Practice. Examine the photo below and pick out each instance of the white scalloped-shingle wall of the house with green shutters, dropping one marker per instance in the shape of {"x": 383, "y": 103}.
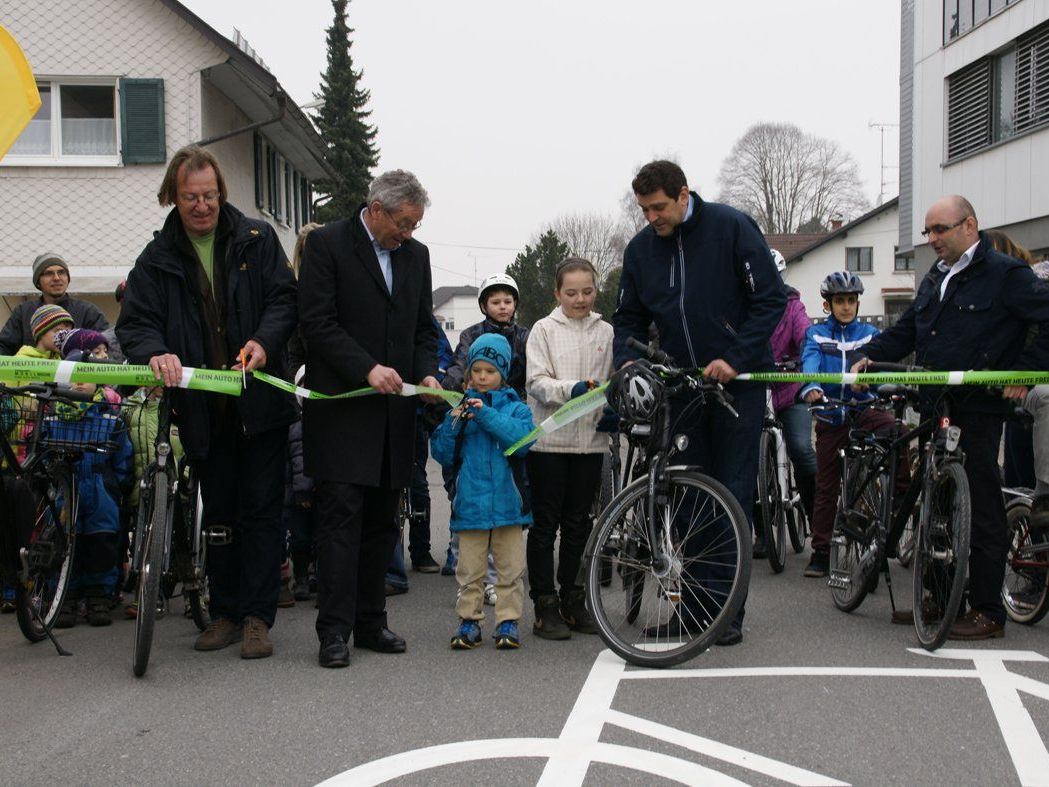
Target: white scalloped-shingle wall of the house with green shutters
{"x": 101, "y": 218}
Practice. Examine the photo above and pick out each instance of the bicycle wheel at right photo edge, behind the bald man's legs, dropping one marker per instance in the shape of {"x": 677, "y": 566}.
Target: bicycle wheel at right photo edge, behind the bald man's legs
{"x": 1025, "y": 590}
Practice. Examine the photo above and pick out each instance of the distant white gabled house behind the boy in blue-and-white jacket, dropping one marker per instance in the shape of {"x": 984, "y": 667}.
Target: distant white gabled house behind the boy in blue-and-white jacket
{"x": 867, "y": 247}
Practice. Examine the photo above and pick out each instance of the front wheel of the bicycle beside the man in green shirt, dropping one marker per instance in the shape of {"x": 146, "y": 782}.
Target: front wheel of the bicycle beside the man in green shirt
{"x": 152, "y": 569}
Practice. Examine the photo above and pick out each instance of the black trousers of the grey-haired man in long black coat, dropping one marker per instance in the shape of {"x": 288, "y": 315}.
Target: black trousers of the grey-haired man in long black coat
{"x": 356, "y": 529}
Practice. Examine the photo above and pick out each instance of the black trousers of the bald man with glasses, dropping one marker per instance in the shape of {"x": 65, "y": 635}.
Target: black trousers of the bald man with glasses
{"x": 990, "y": 538}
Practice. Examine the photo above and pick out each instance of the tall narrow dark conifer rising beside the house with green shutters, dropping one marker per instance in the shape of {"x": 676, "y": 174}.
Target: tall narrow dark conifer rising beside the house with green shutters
{"x": 342, "y": 121}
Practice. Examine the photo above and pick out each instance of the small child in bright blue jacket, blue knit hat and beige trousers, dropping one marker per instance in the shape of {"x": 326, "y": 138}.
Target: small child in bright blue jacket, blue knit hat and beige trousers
{"x": 489, "y": 508}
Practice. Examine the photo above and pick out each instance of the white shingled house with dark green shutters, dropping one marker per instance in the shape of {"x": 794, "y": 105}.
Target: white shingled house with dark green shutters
{"x": 124, "y": 84}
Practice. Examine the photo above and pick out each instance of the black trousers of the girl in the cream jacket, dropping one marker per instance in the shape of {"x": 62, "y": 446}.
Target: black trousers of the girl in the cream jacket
{"x": 564, "y": 486}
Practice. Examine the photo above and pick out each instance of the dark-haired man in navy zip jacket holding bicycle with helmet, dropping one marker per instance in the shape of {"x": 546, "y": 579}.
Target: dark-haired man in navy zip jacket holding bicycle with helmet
{"x": 703, "y": 274}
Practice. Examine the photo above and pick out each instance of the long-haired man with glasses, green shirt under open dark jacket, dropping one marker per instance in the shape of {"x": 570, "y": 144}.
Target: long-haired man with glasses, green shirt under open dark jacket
{"x": 215, "y": 290}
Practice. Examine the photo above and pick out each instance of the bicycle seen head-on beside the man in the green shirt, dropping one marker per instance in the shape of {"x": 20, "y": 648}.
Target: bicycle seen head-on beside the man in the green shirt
{"x": 170, "y": 542}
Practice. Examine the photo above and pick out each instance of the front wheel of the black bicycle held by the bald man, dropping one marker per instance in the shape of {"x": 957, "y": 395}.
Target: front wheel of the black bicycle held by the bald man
{"x": 941, "y": 556}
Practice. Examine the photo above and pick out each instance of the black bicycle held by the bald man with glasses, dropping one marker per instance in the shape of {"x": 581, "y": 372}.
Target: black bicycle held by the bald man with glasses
{"x": 870, "y": 520}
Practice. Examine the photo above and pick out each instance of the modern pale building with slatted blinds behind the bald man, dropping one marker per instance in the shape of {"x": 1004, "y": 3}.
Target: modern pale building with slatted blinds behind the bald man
{"x": 975, "y": 117}
